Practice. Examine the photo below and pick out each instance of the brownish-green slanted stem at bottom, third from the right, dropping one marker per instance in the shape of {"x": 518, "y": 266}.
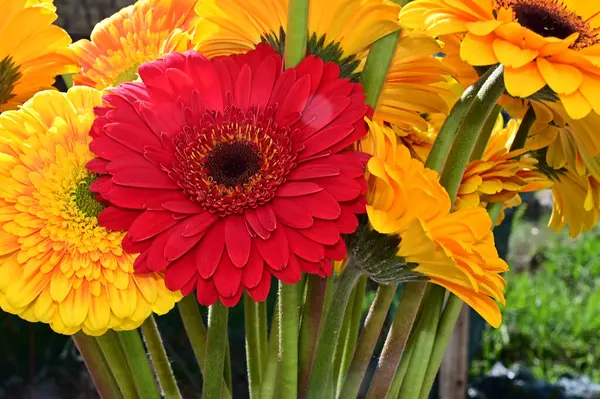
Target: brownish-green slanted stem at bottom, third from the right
{"x": 397, "y": 338}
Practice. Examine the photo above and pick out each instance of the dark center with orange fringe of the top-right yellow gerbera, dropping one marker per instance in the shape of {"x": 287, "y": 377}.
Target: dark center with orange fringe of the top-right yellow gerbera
{"x": 551, "y": 18}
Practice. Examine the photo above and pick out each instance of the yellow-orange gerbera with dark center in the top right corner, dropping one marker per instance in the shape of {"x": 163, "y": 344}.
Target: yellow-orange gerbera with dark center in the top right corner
{"x": 539, "y": 42}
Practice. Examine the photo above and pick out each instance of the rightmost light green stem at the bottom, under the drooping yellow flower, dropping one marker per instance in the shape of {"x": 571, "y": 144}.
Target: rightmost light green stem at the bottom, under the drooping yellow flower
{"x": 442, "y": 337}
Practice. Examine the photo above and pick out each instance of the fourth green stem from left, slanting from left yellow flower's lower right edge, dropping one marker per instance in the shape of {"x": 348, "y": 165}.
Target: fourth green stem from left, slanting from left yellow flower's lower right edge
{"x": 159, "y": 358}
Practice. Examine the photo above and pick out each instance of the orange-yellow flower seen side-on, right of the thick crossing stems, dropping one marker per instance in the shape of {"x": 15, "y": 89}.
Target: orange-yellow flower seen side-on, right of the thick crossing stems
{"x": 500, "y": 174}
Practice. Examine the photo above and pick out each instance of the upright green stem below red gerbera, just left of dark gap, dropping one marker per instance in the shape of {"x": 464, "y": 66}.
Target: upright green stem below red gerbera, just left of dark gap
{"x": 215, "y": 351}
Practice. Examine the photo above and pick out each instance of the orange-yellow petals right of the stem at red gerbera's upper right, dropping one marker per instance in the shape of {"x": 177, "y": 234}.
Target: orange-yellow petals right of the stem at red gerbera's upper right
{"x": 416, "y": 84}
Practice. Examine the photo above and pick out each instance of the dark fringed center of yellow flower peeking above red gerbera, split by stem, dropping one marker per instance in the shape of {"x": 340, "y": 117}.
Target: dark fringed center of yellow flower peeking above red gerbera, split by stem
{"x": 327, "y": 51}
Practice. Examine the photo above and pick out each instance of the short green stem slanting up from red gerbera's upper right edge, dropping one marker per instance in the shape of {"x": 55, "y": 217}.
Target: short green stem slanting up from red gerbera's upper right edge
{"x": 377, "y": 66}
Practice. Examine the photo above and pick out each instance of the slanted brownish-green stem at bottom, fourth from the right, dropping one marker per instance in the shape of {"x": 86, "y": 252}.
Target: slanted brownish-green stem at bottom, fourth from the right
{"x": 368, "y": 340}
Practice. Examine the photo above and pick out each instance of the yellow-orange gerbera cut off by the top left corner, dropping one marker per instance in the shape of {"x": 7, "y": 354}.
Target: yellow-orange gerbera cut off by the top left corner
{"x": 32, "y": 51}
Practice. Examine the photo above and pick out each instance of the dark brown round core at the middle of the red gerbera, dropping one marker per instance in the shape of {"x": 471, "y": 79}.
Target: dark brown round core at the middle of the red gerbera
{"x": 233, "y": 164}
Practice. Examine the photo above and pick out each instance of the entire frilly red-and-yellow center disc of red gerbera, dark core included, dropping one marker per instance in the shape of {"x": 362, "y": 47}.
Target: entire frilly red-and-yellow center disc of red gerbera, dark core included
{"x": 233, "y": 160}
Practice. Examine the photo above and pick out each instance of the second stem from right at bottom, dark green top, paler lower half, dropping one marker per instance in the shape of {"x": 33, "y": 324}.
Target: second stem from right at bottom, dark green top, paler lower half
{"x": 424, "y": 339}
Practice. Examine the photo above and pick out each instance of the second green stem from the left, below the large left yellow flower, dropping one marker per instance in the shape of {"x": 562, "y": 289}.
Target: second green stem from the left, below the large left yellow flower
{"x": 111, "y": 349}
